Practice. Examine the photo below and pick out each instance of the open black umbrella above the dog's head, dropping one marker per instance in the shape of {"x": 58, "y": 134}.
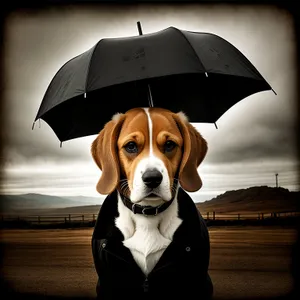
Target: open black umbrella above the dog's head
{"x": 198, "y": 73}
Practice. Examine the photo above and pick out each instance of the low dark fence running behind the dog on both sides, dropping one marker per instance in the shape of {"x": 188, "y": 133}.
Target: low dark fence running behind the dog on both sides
{"x": 91, "y": 218}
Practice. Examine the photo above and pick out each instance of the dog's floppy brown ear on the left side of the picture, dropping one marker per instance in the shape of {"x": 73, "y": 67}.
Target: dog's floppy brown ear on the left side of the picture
{"x": 104, "y": 152}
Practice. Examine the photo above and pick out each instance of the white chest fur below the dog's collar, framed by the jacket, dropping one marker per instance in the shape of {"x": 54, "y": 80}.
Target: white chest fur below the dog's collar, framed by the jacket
{"x": 147, "y": 237}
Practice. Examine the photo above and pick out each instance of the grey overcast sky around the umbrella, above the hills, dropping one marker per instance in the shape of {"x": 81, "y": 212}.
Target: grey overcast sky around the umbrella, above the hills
{"x": 255, "y": 139}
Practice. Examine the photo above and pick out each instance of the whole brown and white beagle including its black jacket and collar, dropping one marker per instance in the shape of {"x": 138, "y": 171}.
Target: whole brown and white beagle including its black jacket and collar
{"x": 149, "y": 237}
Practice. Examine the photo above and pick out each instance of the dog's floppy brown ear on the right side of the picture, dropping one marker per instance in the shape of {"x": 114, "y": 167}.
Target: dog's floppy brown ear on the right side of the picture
{"x": 194, "y": 151}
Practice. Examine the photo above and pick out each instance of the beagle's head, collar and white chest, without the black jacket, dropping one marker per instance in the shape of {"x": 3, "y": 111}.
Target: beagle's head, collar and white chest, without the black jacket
{"x": 146, "y": 155}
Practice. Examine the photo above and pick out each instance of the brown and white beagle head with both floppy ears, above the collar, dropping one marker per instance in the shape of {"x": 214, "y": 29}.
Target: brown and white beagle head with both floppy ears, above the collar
{"x": 146, "y": 152}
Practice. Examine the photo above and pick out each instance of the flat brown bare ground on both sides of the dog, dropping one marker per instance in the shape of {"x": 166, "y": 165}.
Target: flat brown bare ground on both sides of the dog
{"x": 245, "y": 262}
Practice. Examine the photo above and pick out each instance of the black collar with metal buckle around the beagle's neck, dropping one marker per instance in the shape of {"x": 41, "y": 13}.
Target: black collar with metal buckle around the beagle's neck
{"x": 146, "y": 210}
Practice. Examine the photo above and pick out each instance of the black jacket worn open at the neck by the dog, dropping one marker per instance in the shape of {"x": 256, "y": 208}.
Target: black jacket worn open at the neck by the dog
{"x": 181, "y": 271}
